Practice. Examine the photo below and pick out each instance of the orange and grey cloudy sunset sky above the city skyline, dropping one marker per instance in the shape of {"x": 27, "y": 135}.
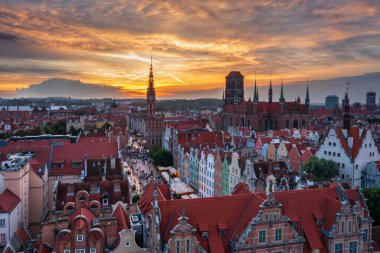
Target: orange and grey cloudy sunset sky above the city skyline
{"x": 194, "y": 44}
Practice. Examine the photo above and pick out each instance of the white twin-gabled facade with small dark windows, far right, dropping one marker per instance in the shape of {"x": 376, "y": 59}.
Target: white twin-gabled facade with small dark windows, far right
{"x": 350, "y": 168}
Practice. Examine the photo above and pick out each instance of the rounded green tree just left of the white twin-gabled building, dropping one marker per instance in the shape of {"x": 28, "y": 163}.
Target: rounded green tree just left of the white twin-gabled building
{"x": 321, "y": 168}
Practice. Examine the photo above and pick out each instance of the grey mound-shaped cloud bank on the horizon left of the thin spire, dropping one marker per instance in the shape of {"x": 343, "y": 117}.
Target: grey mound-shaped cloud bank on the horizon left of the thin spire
{"x": 68, "y": 88}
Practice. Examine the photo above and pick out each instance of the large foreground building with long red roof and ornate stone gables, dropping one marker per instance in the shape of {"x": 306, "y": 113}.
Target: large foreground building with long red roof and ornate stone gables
{"x": 299, "y": 221}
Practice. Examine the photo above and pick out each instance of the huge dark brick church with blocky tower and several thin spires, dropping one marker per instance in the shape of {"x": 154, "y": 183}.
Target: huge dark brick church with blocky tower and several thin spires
{"x": 261, "y": 115}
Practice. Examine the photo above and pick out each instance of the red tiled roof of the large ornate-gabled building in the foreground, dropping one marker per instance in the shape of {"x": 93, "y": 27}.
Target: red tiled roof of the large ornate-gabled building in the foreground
{"x": 235, "y": 213}
